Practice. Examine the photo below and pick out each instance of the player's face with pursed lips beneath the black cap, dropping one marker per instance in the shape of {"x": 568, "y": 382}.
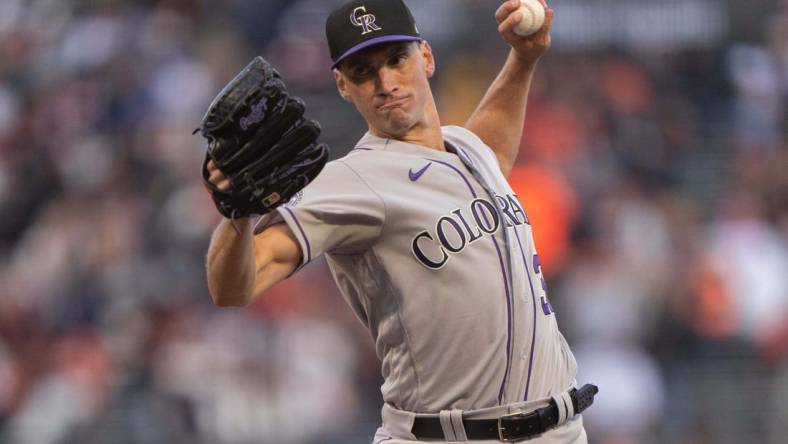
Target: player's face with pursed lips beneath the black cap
{"x": 389, "y": 85}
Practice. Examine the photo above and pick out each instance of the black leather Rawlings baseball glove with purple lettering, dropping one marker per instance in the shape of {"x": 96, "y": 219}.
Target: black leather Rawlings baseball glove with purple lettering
{"x": 258, "y": 138}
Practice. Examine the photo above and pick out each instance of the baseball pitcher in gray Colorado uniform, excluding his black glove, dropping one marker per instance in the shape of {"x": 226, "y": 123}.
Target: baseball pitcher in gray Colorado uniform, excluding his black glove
{"x": 427, "y": 242}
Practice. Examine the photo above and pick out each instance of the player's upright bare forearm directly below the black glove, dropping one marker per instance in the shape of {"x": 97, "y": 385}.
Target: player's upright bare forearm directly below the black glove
{"x": 231, "y": 263}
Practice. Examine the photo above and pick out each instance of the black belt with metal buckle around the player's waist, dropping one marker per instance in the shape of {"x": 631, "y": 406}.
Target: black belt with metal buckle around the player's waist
{"x": 509, "y": 428}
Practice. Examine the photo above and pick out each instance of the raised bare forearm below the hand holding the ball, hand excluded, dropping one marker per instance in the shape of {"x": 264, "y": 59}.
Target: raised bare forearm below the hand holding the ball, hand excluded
{"x": 498, "y": 120}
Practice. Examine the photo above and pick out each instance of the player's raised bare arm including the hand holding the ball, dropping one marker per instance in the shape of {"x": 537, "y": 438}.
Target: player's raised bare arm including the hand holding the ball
{"x": 498, "y": 120}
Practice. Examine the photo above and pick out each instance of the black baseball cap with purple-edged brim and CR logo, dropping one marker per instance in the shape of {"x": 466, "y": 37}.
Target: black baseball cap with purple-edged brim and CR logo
{"x": 359, "y": 24}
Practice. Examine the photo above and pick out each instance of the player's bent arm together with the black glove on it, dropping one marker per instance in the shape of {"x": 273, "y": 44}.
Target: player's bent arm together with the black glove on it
{"x": 261, "y": 151}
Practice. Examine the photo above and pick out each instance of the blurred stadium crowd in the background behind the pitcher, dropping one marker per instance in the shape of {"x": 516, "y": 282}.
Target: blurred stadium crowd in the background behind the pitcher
{"x": 654, "y": 168}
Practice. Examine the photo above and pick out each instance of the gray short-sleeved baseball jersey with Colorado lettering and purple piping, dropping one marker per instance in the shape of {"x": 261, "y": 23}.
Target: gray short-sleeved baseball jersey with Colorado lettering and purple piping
{"x": 433, "y": 252}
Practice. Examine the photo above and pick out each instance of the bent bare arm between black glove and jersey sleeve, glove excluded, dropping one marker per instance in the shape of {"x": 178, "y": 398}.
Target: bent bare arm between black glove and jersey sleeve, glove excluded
{"x": 241, "y": 267}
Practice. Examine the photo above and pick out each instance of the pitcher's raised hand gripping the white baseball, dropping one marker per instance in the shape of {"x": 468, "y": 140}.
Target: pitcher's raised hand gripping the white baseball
{"x": 510, "y": 15}
